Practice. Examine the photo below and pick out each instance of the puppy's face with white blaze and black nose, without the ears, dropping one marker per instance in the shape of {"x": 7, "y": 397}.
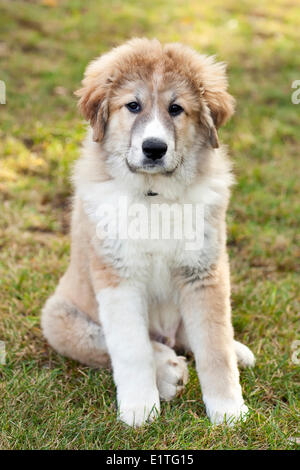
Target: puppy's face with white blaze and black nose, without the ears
{"x": 152, "y": 123}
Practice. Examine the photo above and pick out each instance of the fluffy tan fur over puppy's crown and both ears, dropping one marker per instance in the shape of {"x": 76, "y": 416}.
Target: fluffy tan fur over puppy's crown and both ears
{"x": 139, "y": 59}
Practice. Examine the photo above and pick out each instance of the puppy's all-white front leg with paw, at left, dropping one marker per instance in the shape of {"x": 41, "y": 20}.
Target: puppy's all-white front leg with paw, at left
{"x": 123, "y": 314}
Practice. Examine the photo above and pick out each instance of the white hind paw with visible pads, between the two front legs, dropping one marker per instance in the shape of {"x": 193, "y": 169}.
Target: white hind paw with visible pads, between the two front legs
{"x": 171, "y": 372}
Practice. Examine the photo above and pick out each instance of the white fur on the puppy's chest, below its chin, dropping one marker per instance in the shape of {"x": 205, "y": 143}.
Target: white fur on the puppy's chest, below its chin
{"x": 146, "y": 261}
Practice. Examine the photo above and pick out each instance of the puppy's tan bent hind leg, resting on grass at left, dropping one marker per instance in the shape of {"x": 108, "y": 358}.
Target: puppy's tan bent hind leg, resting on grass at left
{"x": 72, "y": 333}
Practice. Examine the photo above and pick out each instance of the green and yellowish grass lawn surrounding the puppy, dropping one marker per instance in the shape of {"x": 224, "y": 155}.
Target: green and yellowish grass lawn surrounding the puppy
{"x": 50, "y": 402}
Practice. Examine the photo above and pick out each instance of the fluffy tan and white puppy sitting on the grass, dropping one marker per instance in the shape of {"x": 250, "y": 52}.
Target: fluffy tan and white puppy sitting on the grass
{"x": 132, "y": 301}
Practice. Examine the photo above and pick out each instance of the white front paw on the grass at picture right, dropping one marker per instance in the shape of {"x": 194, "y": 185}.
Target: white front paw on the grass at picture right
{"x": 226, "y": 411}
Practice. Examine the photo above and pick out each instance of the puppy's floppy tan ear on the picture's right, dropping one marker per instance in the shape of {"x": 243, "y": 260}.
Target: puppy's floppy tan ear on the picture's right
{"x": 217, "y": 103}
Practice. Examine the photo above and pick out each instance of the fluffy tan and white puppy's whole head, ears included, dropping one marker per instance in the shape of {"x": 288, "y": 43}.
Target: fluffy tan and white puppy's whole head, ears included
{"x": 154, "y": 108}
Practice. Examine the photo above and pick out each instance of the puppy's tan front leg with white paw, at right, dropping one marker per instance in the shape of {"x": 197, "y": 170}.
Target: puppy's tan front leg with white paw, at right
{"x": 205, "y": 304}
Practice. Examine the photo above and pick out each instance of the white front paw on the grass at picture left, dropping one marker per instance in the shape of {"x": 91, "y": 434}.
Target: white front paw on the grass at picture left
{"x": 140, "y": 411}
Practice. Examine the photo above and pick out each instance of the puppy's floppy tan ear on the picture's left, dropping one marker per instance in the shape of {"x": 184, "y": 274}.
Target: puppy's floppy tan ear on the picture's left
{"x": 93, "y": 97}
